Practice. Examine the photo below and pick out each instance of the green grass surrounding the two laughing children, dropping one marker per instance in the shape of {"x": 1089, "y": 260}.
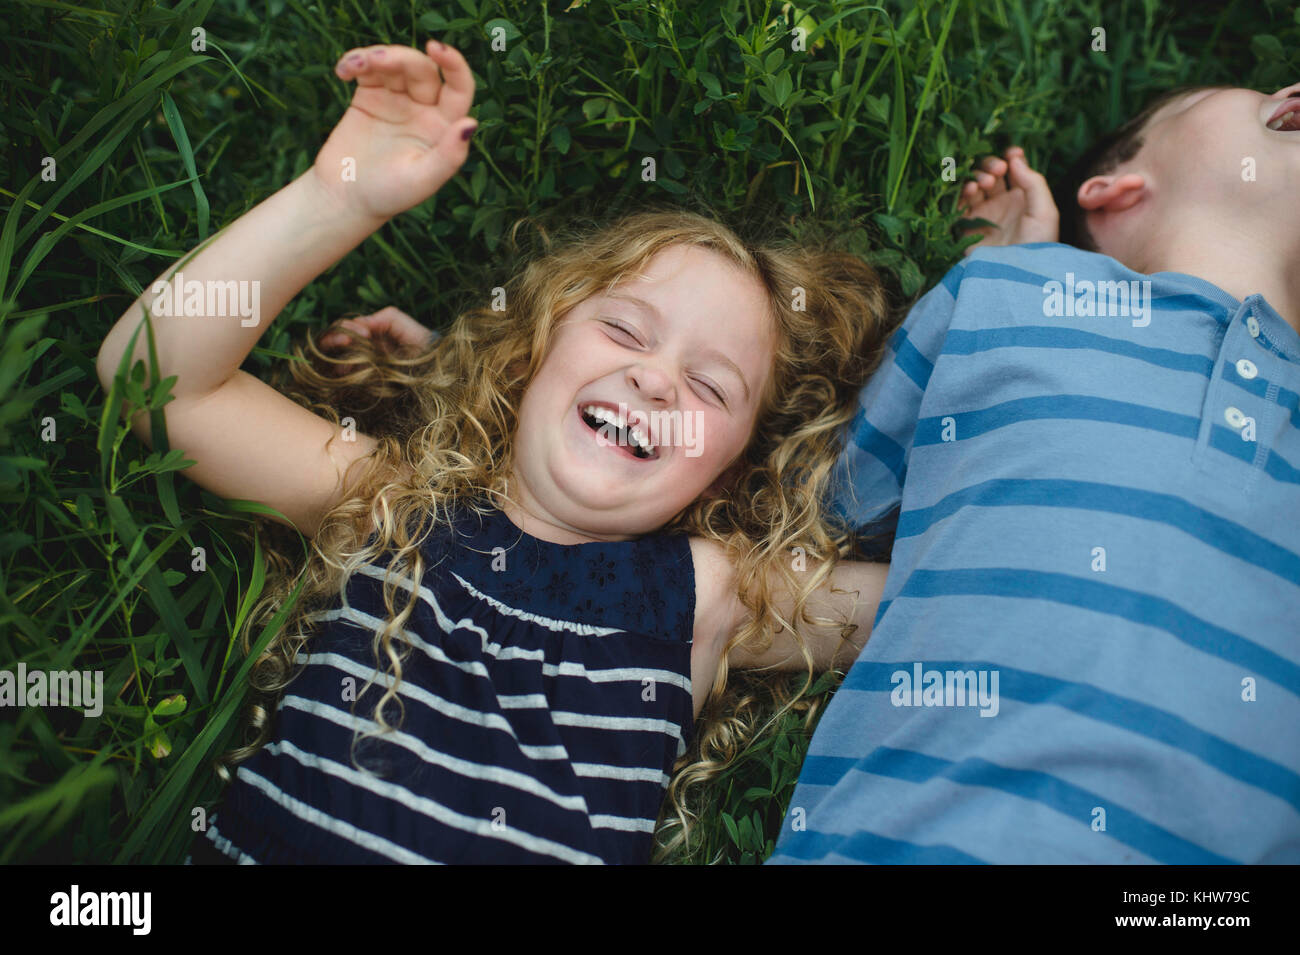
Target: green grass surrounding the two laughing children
{"x": 157, "y": 145}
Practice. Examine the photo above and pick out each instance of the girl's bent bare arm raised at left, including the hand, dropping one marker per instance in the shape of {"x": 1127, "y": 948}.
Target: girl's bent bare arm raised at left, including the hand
{"x": 405, "y": 134}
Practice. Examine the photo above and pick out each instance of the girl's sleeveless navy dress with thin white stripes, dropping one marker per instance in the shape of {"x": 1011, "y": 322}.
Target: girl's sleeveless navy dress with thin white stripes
{"x": 547, "y": 700}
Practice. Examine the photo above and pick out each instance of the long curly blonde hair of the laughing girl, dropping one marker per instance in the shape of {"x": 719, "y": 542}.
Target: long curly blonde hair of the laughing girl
{"x": 445, "y": 420}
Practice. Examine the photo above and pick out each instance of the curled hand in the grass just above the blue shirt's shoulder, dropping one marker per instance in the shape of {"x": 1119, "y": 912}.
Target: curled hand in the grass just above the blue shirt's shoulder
{"x": 1022, "y": 212}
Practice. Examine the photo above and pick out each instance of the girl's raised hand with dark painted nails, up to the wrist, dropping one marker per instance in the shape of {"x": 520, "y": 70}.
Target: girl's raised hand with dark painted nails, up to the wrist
{"x": 406, "y": 132}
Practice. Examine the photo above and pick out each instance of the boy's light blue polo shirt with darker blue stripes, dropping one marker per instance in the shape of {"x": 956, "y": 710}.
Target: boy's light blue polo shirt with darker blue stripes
{"x": 1089, "y": 645}
